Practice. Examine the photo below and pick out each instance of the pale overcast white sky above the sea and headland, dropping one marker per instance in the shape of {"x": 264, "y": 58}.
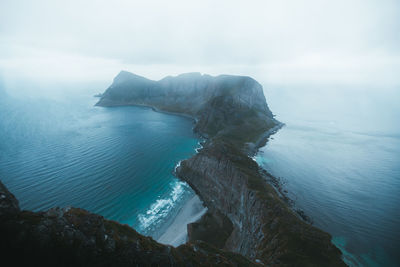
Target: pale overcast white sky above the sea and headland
{"x": 284, "y": 42}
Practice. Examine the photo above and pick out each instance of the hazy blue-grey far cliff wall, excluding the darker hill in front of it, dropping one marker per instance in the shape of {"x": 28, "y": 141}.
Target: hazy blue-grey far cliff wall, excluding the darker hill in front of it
{"x": 186, "y": 93}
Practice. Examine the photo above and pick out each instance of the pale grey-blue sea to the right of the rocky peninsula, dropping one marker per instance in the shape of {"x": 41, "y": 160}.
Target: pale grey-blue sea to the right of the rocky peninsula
{"x": 340, "y": 163}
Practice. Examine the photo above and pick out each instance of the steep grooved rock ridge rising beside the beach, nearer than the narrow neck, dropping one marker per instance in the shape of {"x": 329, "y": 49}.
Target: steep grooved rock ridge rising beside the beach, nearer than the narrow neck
{"x": 264, "y": 228}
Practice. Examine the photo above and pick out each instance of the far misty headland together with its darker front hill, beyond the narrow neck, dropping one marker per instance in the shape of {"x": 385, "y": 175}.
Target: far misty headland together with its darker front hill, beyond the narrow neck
{"x": 223, "y": 105}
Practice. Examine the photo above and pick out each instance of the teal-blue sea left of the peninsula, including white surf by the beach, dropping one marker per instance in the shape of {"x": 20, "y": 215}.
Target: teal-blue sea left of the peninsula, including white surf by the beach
{"x": 117, "y": 162}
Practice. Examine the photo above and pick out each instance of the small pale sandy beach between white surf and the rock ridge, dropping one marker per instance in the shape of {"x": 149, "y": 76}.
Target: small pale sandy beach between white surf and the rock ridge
{"x": 176, "y": 233}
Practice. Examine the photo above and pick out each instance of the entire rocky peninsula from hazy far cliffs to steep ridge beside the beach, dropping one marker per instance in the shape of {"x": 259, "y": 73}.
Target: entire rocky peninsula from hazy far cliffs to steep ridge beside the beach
{"x": 245, "y": 214}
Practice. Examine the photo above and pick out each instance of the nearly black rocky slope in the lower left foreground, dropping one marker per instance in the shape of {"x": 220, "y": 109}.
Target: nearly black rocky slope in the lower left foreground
{"x": 75, "y": 237}
